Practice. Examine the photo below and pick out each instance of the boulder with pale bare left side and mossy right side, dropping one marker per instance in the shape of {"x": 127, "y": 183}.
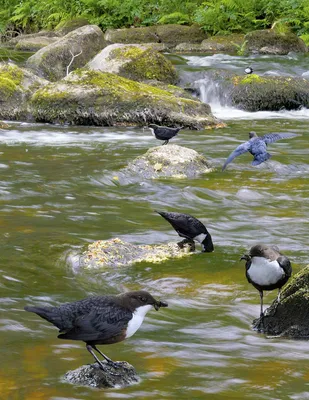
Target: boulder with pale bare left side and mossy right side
{"x": 137, "y": 62}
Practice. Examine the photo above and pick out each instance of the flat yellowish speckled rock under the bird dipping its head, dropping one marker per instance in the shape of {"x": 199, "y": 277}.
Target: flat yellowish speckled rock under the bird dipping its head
{"x": 116, "y": 253}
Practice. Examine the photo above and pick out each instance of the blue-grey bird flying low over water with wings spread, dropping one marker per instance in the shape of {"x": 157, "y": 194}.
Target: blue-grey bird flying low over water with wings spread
{"x": 257, "y": 146}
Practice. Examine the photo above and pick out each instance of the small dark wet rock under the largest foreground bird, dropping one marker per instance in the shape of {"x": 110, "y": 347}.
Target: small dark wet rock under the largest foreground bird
{"x": 92, "y": 375}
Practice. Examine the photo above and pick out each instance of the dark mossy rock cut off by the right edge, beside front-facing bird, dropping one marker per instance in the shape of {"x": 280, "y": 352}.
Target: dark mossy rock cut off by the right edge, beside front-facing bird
{"x": 291, "y": 316}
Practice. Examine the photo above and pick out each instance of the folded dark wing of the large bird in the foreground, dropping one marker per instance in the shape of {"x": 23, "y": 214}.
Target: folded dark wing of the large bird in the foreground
{"x": 102, "y": 323}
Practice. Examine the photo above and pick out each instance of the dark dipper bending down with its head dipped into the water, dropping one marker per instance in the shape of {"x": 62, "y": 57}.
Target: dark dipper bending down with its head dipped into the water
{"x": 190, "y": 228}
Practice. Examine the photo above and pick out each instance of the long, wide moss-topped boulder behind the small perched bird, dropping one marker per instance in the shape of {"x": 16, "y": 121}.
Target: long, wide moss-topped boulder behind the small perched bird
{"x": 99, "y": 98}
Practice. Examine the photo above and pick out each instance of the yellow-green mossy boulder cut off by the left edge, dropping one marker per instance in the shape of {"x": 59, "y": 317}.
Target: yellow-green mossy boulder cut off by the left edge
{"x": 16, "y": 87}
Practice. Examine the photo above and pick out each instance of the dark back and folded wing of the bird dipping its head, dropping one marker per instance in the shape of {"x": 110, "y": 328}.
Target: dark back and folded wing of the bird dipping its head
{"x": 185, "y": 225}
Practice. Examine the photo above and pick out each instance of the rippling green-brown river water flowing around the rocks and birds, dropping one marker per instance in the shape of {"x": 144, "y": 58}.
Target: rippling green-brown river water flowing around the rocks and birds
{"x": 57, "y": 194}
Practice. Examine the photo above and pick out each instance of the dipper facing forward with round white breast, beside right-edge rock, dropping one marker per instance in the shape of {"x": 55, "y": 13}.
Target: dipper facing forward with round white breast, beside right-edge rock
{"x": 267, "y": 269}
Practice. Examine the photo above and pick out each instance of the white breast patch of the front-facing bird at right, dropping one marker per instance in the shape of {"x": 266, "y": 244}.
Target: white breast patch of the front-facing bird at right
{"x": 264, "y": 272}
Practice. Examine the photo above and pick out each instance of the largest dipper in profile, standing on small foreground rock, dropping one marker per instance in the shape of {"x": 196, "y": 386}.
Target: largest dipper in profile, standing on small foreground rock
{"x": 100, "y": 319}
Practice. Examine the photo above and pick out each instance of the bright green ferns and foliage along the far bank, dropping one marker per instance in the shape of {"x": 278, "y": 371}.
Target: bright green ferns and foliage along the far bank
{"x": 214, "y": 16}
